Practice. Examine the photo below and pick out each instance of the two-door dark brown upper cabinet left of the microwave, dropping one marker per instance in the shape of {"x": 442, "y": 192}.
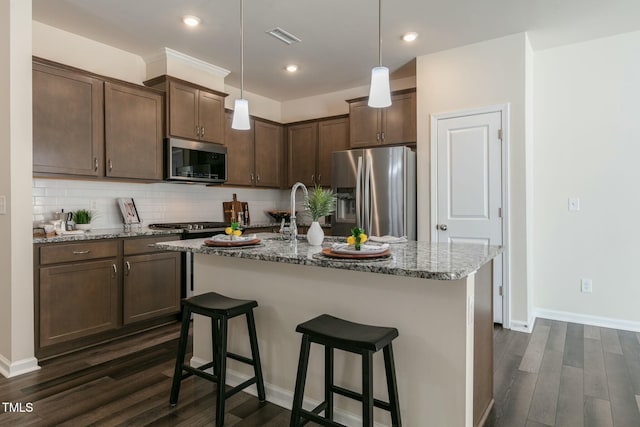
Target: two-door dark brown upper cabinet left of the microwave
{"x": 88, "y": 126}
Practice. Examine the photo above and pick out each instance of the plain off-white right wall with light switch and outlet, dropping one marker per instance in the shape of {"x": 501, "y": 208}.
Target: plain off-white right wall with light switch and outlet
{"x": 588, "y": 145}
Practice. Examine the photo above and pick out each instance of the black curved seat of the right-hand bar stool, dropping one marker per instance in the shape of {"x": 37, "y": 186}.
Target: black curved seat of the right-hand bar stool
{"x": 341, "y": 333}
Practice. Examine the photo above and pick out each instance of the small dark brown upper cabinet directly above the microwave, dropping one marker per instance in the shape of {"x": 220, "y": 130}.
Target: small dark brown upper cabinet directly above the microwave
{"x": 193, "y": 112}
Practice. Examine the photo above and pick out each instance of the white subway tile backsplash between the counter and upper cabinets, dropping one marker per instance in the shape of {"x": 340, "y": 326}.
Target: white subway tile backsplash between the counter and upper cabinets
{"x": 157, "y": 202}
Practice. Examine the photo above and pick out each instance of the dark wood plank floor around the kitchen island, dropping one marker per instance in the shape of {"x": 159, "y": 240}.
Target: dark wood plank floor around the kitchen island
{"x": 562, "y": 374}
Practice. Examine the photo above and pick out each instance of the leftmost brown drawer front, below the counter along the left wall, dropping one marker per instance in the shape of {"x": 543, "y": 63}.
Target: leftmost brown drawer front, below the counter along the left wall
{"x": 78, "y": 251}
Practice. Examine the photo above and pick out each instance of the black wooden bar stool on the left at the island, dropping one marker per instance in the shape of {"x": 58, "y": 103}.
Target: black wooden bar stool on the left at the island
{"x": 219, "y": 309}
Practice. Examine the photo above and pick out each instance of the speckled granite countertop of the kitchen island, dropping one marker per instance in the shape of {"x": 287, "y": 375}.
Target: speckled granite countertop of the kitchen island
{"x": 412, "y": 259}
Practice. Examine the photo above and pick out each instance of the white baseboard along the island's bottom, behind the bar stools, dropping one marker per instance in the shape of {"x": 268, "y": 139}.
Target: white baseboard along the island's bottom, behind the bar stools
{"x": 282, "y": 397}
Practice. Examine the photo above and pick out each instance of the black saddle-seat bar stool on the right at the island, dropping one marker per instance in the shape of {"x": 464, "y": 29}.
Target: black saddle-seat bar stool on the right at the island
{"x": 365, "y": 340}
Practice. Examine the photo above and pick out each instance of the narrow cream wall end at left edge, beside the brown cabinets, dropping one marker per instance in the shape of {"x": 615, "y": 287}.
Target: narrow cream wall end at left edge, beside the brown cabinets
{"x": 16, "y": 259}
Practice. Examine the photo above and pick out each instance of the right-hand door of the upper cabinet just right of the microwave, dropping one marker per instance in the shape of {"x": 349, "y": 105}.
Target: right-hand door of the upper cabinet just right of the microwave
{"x": 268, "y": 154}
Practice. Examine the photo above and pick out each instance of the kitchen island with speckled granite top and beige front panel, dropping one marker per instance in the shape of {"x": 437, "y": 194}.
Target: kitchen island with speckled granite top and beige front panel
{"x": 439, "y": 296}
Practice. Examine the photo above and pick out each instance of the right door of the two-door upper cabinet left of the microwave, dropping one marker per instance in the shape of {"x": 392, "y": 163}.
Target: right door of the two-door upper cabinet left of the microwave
{"x": 133, "y": 132}
